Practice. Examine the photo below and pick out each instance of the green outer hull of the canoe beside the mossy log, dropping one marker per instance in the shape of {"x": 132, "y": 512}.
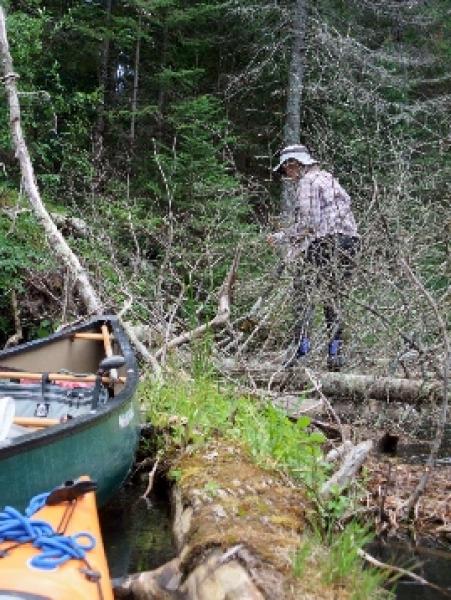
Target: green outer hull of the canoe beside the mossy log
{"x": 101, "y": 445}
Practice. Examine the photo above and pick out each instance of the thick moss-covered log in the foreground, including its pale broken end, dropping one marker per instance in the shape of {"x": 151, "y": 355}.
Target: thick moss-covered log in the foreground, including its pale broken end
{"x": 237, "y": 527}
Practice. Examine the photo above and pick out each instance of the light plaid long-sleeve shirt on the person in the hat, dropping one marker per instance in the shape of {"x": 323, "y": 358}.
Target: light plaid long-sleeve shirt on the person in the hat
{"x": 322, "y": 208}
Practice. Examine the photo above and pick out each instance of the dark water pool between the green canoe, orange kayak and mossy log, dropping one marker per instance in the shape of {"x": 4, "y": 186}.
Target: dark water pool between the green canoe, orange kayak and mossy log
{"x": 137, "y": 534}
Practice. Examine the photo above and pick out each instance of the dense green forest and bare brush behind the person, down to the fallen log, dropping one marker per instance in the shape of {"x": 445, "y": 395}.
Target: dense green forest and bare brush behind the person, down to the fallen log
{"x": 157, "y": 123}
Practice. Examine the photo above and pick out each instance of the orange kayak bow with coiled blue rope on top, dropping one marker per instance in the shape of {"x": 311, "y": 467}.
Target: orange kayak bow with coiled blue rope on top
{"x": 66, "y": 559}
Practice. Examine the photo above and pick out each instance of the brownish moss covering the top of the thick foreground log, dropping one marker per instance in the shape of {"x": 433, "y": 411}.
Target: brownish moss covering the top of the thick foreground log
{"x": 257, "y": 509}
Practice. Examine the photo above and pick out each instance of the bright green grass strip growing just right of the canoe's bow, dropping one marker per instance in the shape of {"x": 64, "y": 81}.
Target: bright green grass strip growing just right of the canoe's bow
{"x": 195, "y": 410}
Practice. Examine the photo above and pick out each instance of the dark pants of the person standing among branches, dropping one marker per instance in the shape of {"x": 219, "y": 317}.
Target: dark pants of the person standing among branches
{"x": 329, "y": 265}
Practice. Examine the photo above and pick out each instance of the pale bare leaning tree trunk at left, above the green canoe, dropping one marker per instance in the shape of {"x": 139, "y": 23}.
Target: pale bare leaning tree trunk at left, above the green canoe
{"x": 54, "y": 237}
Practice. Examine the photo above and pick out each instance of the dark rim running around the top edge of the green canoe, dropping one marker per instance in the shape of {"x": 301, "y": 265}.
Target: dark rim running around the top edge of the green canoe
{"x": 71, "y": 427}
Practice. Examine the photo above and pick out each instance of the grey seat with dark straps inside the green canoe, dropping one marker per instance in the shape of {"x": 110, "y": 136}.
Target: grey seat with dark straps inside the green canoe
{"x": 51, "y": 400}
